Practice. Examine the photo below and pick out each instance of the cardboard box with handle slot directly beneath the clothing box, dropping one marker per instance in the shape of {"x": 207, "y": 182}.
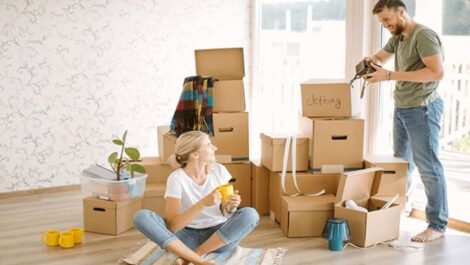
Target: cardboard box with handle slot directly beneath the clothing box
{"x": 334, "y": 142}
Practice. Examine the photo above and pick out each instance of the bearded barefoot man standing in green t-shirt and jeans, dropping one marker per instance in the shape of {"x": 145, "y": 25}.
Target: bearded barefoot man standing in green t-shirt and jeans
{"x": 418, "y": 108}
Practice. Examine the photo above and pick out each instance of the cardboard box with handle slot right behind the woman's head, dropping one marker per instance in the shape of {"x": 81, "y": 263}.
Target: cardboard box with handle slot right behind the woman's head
{"x": 231, "y": 135}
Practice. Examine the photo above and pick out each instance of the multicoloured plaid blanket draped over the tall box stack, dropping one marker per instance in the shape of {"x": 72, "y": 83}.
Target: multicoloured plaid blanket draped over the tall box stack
{"x": 194, "y": 109}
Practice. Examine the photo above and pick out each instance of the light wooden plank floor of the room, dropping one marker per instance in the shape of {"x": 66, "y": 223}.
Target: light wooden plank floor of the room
{"x": 22, "y": 219}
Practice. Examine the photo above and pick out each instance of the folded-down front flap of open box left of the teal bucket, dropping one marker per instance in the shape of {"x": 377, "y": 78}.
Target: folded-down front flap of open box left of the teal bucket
{"x": 310, "y": 203}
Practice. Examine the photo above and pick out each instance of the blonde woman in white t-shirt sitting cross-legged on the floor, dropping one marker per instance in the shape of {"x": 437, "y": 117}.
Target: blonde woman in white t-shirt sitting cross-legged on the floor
{"x": 197, "y": 221}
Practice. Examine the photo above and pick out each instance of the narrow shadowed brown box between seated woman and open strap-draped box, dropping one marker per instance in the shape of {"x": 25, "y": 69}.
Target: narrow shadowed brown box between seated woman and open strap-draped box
{"x": 260, "y": 188}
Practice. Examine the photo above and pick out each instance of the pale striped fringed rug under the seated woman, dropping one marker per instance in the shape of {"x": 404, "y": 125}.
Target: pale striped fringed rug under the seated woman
{"x": 151, "y": 254}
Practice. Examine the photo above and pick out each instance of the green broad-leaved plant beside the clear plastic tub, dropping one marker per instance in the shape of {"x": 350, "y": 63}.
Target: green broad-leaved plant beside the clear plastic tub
{"x": 125, "y": 166}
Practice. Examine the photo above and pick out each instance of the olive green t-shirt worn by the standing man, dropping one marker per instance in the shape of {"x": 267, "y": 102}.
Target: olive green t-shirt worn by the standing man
{"x": 422, "y": 42}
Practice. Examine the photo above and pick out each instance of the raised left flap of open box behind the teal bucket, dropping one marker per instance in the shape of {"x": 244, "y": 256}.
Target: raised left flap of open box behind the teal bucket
{"x": 358, "y": 184}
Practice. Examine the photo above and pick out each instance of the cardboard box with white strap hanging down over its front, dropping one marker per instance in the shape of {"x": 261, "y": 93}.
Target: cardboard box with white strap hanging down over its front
{"x": 272, "y": 152}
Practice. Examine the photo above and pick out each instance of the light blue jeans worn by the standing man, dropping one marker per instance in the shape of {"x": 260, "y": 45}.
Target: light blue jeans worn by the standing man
{"x": 416, "y": 139}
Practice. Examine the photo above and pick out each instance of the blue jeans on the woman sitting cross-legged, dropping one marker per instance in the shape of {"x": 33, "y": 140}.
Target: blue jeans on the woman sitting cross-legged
{"x": 242, "y": 222}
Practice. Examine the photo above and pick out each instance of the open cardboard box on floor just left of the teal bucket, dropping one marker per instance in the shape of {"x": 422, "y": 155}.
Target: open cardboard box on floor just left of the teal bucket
{"x": 305, "y": 216}
